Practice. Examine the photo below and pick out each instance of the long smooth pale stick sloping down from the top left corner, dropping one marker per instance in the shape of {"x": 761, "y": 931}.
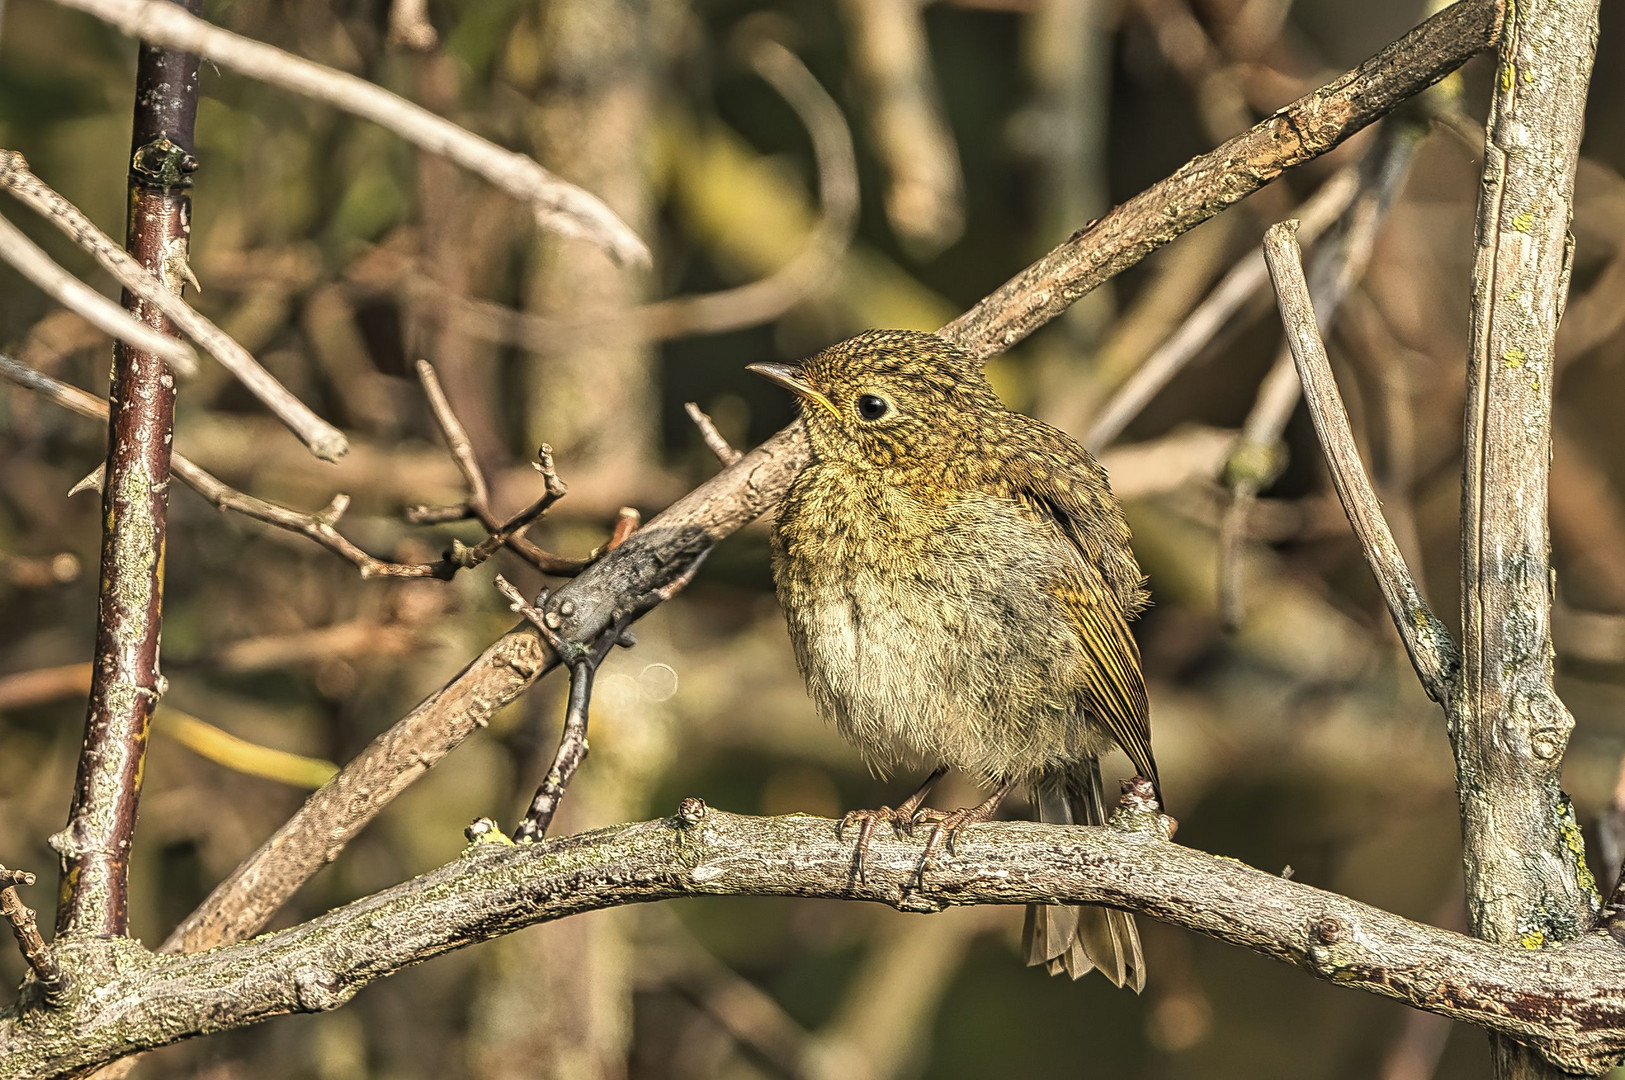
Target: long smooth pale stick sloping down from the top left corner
{"x": 560, "y": 205}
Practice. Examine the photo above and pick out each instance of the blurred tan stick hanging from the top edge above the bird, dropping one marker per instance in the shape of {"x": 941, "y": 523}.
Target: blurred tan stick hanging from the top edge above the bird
{"x": 925, "y": 192}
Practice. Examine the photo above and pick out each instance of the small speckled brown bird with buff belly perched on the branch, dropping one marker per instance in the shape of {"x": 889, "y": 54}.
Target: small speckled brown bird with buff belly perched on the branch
{"x": 958, "y": 582}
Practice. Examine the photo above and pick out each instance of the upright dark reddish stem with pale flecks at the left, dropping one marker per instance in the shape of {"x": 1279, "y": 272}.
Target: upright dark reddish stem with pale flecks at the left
{"x": 126, "y": 686}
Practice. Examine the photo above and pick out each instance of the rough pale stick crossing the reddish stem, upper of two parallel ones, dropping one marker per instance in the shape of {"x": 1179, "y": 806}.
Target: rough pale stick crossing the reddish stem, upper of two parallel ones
{"x": 163, "y": 292}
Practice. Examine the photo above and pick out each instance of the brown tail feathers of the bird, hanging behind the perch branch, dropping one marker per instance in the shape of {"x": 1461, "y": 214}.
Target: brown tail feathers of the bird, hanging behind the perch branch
{"x": 1072, "y": 938}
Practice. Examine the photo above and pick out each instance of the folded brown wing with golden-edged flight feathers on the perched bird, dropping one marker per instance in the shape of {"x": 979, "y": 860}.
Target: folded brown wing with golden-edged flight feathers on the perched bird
{"x": 1067, "y": 486}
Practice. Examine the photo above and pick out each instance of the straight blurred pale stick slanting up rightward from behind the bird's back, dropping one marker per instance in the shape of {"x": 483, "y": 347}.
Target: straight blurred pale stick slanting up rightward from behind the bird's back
{"x": 1211, "y": 316}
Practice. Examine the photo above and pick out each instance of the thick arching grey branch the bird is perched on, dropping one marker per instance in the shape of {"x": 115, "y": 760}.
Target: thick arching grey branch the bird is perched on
{"x": 1569, "y": 1003}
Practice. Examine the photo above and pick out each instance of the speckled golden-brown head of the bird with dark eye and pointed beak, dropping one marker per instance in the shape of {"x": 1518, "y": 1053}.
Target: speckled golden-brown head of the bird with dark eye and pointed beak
{"x": 890, "y": 399}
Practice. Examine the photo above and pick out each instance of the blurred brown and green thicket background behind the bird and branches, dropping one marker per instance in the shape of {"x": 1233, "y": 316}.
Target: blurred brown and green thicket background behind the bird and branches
{"x": 987, "y": 131}
